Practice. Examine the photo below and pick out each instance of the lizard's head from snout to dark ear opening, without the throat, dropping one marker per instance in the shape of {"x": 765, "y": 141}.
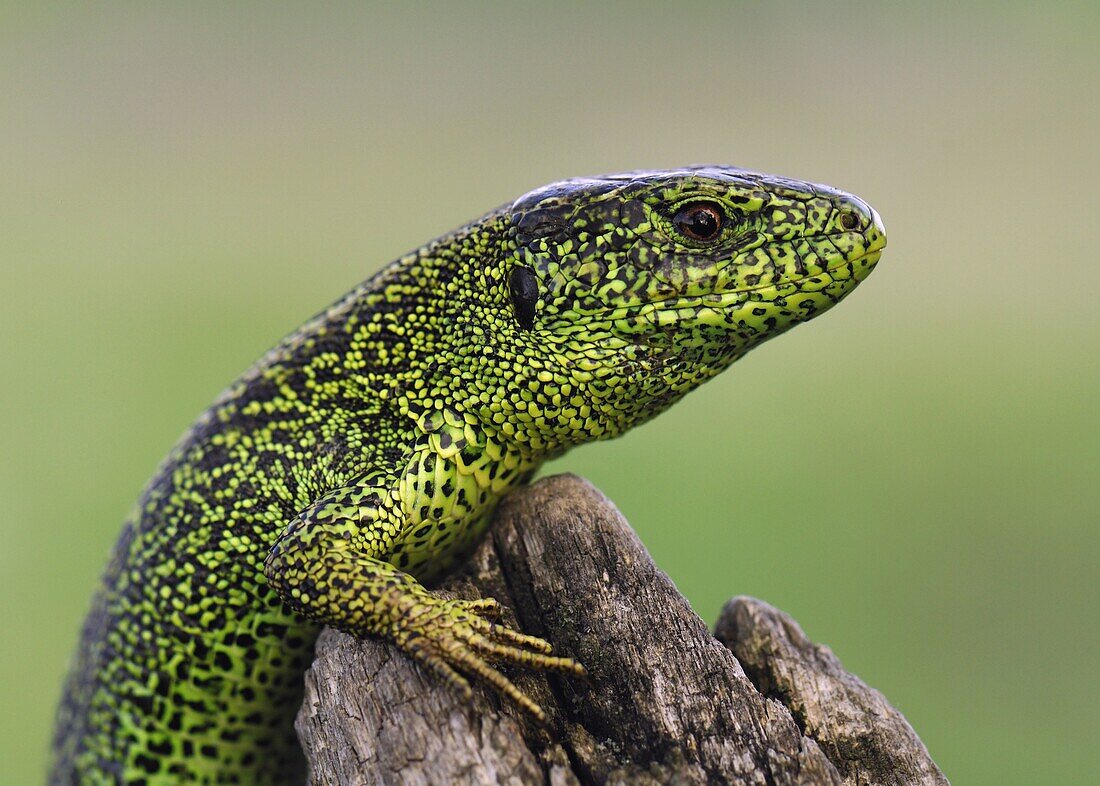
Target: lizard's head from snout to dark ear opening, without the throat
{"x": 703, "y": 257}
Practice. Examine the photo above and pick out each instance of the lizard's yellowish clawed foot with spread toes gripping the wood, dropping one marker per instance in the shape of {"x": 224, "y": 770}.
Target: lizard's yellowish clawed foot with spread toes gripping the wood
{"x": 450, "y": 637}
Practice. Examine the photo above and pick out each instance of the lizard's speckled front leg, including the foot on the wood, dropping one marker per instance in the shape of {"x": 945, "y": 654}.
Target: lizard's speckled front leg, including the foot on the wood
{"x": 331, "y": 564}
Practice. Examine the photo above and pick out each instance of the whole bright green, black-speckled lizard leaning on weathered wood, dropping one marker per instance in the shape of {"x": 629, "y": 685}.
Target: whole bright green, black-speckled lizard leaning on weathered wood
{"x": 365, "y": 456}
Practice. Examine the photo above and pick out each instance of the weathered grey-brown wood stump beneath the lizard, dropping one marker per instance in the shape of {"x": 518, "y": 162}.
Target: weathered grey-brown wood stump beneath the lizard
{"x": 666, "y": 702}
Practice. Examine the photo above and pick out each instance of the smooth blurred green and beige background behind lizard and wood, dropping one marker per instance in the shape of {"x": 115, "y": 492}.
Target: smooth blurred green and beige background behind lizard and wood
{"x": 914, "y": 478}
